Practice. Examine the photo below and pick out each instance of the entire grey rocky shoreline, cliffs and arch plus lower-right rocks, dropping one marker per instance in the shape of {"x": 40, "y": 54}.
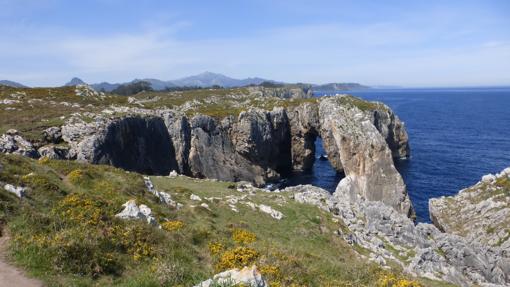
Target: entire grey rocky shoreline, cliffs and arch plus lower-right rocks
{"x": 468, "y": 244}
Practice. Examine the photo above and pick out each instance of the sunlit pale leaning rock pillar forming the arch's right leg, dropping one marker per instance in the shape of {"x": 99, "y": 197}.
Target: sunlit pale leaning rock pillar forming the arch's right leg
{"x": 365, "y": 157}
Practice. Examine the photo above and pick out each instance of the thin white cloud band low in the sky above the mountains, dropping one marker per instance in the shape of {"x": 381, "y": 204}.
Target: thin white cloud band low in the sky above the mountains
{"x": 377, "y": 53}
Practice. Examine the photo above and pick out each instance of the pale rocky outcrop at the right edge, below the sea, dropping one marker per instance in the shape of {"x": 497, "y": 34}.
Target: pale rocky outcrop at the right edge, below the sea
{"x": 480, "y": 213}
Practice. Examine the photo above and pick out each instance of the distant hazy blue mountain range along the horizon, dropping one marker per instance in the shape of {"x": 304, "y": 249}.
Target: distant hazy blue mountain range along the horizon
{"x": 206, "y": 79}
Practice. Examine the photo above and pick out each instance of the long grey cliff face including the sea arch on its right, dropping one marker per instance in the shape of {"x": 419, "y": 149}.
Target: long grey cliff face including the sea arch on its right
{"x": 257, "y": 146}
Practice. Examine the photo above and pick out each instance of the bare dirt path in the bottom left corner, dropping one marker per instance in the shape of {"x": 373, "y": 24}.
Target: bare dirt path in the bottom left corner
{"x": 10, "y": 275}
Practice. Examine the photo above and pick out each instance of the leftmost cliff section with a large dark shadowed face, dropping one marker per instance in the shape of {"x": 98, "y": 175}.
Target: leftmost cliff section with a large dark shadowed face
{"x": 134, "y": 143}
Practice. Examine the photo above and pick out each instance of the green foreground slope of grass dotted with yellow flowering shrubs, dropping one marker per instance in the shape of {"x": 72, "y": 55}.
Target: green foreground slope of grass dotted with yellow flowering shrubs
{"x": 66, "y": 234}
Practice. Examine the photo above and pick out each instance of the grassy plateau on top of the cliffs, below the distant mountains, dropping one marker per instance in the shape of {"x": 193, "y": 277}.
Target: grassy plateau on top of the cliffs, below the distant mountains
{"x": 39, "y": 108}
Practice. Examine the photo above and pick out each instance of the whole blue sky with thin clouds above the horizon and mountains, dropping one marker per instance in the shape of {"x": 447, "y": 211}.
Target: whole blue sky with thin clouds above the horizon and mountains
{"x": 403, "y": 43}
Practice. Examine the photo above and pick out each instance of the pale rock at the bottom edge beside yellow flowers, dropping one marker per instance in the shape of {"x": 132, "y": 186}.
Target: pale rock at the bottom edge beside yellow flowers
{"x": 248, "y": 276}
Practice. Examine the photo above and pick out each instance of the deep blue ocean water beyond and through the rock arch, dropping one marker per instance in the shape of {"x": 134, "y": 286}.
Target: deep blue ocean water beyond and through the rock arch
{"x": 456, "y": 136}
